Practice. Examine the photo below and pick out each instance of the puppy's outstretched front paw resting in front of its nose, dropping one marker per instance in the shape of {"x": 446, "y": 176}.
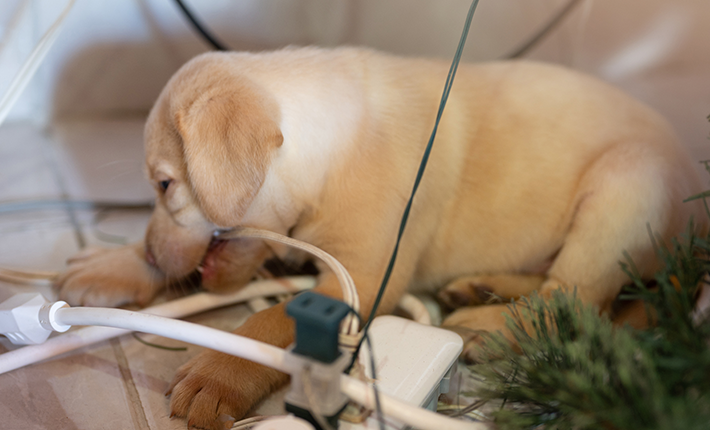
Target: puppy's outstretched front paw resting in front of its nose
{"x": 109, "y": 277}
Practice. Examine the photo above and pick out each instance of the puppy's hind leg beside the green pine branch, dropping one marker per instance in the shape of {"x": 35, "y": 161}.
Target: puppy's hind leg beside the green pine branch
{"x": 627, "y": 189}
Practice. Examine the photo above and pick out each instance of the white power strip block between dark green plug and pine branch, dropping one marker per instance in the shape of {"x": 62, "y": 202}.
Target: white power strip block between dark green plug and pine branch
{"x": 414, "y": 363}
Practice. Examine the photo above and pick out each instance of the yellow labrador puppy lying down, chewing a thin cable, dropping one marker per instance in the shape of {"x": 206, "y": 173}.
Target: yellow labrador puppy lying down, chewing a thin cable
{"x": 539, "y": 178}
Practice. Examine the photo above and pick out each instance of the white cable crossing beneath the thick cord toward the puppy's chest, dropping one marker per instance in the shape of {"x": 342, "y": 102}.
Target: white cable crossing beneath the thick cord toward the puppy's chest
{"x": 193, "y": 304}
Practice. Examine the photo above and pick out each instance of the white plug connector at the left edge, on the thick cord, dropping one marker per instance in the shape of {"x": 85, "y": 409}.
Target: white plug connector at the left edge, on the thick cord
{"x": 28, "y": 318}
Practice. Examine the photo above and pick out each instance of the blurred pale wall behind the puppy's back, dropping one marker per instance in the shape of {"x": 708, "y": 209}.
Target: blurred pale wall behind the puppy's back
{"x": 114, "y": 55}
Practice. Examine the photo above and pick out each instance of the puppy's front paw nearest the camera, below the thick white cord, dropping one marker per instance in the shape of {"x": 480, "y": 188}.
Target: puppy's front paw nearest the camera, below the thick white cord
{"x": 214, "y": 389}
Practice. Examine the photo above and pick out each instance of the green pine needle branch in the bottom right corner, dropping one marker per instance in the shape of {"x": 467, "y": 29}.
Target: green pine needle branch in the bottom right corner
{"x": 573, "y": 369}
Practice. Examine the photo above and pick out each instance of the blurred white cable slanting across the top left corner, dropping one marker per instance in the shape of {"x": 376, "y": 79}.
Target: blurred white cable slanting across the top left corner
{"x": 32, "y": 63}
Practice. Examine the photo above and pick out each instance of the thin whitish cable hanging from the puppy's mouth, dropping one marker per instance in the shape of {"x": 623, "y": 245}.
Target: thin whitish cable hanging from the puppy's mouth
{"x": 350, "y": 295}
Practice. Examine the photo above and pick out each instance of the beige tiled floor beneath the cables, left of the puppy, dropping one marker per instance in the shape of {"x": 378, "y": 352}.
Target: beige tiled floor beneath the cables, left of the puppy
{"x": 116, "y": 384}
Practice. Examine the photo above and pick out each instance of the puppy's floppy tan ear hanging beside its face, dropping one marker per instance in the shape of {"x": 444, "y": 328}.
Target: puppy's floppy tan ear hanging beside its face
{"x": 228, "y": 139}
